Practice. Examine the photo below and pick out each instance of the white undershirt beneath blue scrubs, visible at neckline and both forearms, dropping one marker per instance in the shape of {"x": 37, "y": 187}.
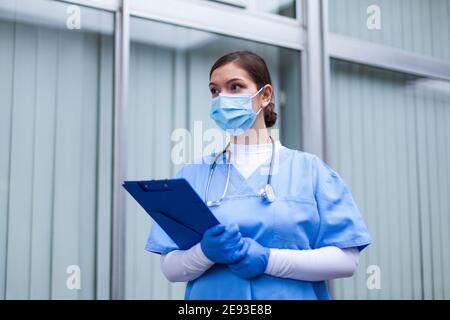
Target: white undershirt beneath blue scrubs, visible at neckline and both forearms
{"x": 308, "y": 265}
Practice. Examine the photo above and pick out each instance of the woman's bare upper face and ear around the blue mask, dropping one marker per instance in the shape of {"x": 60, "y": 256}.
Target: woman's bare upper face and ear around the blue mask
{"x": 232, "y": 79}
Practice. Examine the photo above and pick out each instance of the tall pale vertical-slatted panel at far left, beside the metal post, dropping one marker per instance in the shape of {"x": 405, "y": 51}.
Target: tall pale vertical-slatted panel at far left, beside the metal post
{"x": 55, "y": 161}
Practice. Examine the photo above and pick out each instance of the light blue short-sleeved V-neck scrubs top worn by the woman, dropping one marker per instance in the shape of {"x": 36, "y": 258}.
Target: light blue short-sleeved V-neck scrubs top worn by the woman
{"x": 313, "y": 209}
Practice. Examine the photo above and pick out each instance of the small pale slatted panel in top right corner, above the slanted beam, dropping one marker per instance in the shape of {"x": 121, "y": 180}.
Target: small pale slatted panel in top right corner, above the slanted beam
{"x": 421, "y": 26}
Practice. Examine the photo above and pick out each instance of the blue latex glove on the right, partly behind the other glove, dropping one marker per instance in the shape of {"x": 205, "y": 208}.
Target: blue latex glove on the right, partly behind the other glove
{"x": 255, "y": 261}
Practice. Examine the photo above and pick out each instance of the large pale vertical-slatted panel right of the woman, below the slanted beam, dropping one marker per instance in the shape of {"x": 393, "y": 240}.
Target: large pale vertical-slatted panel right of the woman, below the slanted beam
{"x": 389, "y": 138}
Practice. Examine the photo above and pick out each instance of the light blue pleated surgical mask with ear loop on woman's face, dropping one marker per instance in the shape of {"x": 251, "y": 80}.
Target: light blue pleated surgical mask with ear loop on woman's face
{"x": 233, "y": 112}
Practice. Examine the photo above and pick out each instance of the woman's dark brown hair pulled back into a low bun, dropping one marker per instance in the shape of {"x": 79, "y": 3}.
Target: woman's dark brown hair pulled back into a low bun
{"x": 258, "y": 71}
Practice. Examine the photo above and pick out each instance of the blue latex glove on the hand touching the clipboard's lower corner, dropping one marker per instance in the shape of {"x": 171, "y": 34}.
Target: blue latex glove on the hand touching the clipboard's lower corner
{"x": 222, "y": 244}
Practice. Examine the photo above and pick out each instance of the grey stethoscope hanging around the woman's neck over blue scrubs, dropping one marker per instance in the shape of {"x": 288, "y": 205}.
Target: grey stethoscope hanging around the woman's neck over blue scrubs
{"x": 267, "y": 192}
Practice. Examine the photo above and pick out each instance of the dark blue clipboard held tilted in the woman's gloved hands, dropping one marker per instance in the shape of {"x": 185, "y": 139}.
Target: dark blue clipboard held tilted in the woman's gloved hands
{"x": 176, "y": 208}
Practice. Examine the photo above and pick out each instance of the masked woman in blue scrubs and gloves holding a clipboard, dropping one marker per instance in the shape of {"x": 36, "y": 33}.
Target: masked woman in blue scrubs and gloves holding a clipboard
{"x": 283, "y": 245}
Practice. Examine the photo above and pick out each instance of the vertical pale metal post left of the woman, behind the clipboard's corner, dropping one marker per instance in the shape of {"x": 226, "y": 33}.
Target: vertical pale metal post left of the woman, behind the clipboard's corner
{"x": 119, "y": 160}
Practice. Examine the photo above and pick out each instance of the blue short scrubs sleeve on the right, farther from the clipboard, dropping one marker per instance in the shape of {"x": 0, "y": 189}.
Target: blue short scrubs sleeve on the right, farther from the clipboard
{"x": 341, "y": 223}
